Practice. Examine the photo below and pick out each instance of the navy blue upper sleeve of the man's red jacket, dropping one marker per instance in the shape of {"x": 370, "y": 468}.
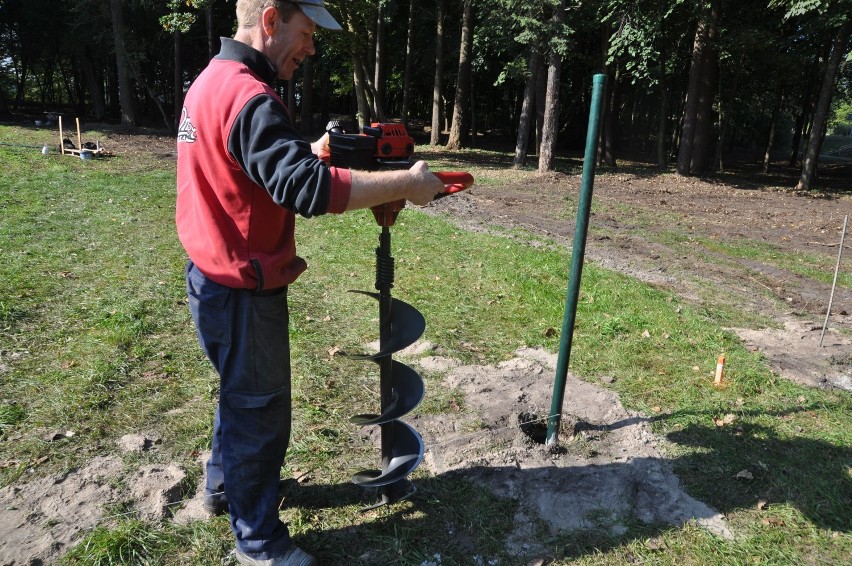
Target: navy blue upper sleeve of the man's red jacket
{"x": 275, "y": 156}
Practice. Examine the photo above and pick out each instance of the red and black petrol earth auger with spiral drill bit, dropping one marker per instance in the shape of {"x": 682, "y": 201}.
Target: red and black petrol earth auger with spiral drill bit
{"x": 400, "y": 324}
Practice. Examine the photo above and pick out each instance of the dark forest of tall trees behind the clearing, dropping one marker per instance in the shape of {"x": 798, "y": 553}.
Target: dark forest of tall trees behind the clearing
{"x": 690, "y": 83}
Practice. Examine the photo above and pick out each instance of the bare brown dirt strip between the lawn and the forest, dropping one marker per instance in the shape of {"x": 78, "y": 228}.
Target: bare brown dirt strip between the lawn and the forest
{"x": 681, "y": 234}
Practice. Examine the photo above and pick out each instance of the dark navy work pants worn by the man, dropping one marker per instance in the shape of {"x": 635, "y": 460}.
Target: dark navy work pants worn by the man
{"x": 245, "y": 335}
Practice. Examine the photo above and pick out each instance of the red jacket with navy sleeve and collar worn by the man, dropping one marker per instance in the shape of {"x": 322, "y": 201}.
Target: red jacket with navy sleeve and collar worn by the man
{"x": 243, "y": 172}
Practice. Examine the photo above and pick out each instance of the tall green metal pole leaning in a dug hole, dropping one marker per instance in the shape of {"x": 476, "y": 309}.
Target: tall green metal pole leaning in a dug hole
{"x": 578, "y": 250}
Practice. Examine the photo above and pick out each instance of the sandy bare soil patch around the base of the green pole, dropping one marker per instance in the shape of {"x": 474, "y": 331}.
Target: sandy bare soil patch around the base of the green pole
{"x": 606, "y": 470}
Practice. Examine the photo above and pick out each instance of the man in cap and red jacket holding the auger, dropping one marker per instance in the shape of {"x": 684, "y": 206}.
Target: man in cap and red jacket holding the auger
{"x": 243, "y": 174}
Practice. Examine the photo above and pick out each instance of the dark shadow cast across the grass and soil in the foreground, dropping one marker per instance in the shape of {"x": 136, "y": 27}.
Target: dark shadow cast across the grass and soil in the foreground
{"x": 457, "y": 515}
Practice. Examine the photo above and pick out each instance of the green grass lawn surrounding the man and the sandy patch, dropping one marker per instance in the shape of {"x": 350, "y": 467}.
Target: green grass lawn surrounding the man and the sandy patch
{"x": 96, "y": 338}
